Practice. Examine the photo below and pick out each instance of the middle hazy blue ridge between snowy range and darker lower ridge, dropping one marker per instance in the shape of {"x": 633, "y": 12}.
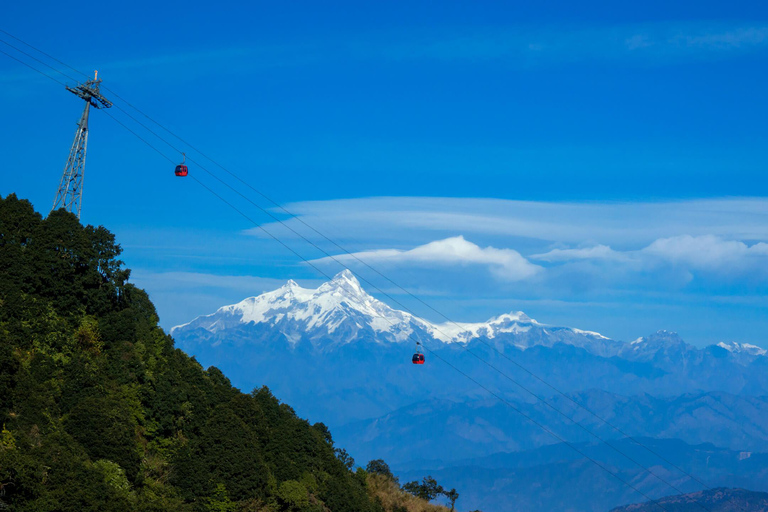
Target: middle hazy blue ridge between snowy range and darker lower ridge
{"x": 449, "y": 431}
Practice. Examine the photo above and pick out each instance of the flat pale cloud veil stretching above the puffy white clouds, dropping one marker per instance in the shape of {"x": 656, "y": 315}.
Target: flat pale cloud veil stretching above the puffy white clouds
{"x": 371, "y": 222}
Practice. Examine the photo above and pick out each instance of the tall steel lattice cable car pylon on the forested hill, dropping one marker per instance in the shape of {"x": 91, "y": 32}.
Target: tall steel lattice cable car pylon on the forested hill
{"x": 70, "y": 193}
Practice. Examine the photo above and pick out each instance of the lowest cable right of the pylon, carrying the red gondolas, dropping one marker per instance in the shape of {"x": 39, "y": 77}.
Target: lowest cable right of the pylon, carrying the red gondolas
{"x": 452, "y": 366}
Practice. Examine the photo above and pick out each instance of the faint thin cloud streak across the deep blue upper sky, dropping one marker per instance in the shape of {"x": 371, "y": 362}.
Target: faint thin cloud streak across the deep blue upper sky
{"x": 523, "y": 45}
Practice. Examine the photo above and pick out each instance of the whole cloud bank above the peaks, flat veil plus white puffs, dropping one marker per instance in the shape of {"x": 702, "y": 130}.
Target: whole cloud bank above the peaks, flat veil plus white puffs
{"x": 576, "y": 246}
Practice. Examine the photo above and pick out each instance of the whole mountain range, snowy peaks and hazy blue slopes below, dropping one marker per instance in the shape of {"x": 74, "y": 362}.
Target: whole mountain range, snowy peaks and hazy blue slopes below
{"x": 340, "y": 356}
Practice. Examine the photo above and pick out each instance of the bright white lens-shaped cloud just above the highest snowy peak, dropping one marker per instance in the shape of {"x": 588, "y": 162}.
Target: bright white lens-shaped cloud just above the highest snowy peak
{"x": 506, "y": 264}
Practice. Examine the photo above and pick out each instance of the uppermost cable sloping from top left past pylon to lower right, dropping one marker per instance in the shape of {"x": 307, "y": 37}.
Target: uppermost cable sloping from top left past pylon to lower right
{"x": 354, "y": 256}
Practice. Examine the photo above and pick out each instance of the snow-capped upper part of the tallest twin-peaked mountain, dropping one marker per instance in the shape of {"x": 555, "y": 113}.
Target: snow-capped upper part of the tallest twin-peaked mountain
{"x": 340, "y": 312}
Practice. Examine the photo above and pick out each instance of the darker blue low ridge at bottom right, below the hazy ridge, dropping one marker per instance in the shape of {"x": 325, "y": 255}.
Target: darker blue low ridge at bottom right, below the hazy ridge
{"x": 558, "y": 478}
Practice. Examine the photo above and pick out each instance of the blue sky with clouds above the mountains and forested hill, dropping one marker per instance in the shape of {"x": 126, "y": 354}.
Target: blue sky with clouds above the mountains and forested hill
{"x": 593, "y": 164}
